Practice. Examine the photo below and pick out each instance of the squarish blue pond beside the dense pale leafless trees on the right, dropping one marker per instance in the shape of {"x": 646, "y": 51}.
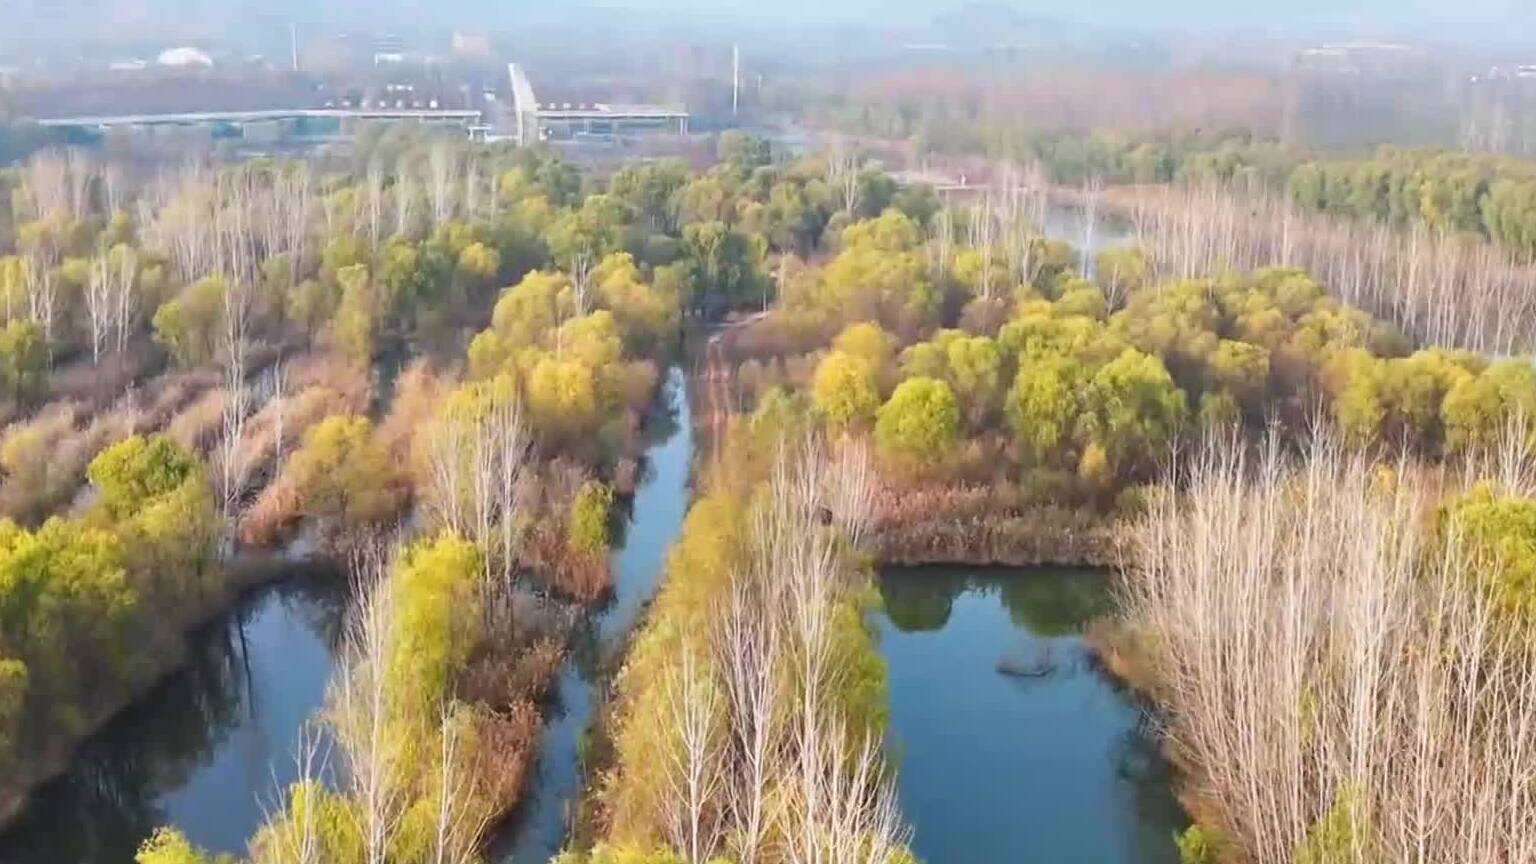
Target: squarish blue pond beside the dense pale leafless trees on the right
{"x": 1010, "y": 740}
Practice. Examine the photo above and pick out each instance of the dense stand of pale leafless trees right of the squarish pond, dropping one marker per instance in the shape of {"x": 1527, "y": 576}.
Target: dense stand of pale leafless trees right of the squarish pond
{"x": 1320, "y": 657}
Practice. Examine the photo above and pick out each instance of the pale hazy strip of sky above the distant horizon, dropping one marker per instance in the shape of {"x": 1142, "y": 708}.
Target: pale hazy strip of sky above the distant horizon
{"x": 1501, "y": 21}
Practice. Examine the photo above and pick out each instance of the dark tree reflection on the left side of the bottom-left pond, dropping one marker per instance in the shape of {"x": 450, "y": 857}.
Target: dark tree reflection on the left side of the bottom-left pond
{"x": 110, "y": 800}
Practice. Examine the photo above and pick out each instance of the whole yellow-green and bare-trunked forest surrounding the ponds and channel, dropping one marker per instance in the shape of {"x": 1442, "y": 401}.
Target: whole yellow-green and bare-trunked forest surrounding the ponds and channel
{"x": 435, "y": 362}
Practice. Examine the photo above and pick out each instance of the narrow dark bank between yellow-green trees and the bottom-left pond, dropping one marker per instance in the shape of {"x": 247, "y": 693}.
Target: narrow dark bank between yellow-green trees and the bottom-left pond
{"x": 247, "y": 574}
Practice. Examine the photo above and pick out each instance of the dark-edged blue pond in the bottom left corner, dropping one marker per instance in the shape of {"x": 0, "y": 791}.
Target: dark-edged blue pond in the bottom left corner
{"x": 210, "y": 748}
